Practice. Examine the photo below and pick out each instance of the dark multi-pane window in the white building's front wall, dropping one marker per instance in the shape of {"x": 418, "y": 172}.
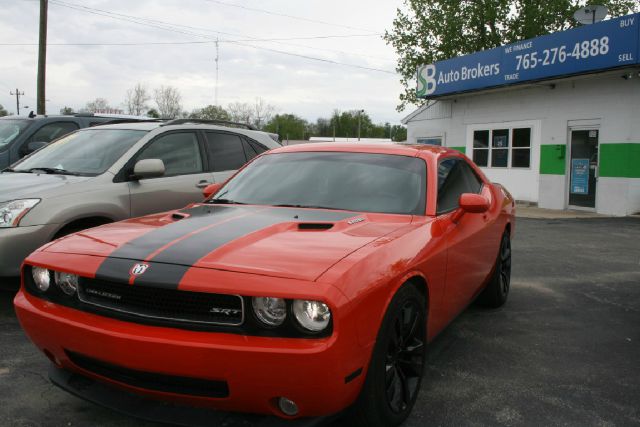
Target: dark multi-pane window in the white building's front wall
{"x": 502, "y": 148}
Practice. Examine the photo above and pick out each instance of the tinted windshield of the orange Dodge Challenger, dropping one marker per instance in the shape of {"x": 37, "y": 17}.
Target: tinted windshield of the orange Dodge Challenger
{"x": 334, "y": 180}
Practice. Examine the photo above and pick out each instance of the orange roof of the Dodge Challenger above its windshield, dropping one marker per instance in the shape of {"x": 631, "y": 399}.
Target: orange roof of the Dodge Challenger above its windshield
{"x": 413, "y": 150}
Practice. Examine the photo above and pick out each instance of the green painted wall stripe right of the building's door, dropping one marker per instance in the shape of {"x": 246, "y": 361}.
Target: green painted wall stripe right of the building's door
{"x": 620, "y": 160}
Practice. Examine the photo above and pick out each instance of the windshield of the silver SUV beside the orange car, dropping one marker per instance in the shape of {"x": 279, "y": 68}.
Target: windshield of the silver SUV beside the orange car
{"x": 88, "y": 152}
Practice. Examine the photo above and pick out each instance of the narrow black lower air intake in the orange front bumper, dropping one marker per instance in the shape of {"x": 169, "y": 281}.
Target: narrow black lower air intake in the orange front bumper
{"x": 151, "y": 380}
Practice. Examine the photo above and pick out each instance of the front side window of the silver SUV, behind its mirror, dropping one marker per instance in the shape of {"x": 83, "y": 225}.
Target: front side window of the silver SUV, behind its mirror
{"x": 180, "y": 153}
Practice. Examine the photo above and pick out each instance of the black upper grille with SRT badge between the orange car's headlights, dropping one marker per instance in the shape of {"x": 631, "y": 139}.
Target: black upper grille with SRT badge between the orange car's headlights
{"x": 163, "y": 304}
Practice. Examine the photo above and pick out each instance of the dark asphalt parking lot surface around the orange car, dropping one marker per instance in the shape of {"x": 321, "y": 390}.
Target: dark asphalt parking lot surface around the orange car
{"x": 565, "y": 350}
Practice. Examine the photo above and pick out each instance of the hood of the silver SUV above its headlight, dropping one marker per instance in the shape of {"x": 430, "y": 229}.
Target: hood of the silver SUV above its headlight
{"x": 15, "y": 186}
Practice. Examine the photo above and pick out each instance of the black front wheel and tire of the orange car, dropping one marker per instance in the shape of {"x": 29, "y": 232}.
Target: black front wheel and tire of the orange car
{"x": 397, "y": 363}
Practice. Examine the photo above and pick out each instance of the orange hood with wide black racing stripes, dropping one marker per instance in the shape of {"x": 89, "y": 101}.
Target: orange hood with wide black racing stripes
{"x": 280, "y": 242}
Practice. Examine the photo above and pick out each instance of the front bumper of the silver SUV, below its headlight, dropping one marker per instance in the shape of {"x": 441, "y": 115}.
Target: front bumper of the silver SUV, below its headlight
{"x": 16, "y": 243}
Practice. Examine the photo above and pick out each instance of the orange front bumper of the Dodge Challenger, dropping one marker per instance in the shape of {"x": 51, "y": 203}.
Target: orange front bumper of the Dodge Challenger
{"x": 317, "y": 374}
